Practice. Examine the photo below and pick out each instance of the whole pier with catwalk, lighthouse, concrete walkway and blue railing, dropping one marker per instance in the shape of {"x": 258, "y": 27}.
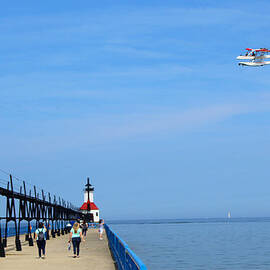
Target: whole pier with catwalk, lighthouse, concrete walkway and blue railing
{"x": 24, "y": 208}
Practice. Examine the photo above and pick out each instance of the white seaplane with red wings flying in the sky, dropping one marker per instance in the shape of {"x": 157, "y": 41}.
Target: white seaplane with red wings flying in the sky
{"x": 255, "y": 57}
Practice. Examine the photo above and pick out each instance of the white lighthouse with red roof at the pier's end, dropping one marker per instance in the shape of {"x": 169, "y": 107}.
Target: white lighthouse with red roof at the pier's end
{"x": 89, "y": 207}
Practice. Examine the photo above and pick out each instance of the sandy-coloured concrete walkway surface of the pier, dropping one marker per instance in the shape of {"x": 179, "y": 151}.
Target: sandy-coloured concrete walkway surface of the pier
{"x": 94, "y": 255}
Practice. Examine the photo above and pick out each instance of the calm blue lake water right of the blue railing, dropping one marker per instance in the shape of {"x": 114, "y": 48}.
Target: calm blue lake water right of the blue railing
{"x": 199, "y": 244}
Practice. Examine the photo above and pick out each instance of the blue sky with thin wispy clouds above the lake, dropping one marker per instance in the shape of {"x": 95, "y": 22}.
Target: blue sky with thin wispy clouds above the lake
{"x": 144, "y": 97}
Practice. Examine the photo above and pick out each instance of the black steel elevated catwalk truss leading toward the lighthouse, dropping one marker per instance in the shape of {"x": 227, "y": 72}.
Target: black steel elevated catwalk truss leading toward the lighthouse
{"x": 54, "y": 214}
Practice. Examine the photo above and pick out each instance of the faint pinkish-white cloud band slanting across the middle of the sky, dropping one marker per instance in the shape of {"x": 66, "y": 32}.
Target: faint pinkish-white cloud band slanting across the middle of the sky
{"x": 80, "y": 133}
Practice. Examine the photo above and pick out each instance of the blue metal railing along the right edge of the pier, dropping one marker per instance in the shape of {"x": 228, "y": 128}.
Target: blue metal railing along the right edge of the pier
{"x": 125, "y": 258}
